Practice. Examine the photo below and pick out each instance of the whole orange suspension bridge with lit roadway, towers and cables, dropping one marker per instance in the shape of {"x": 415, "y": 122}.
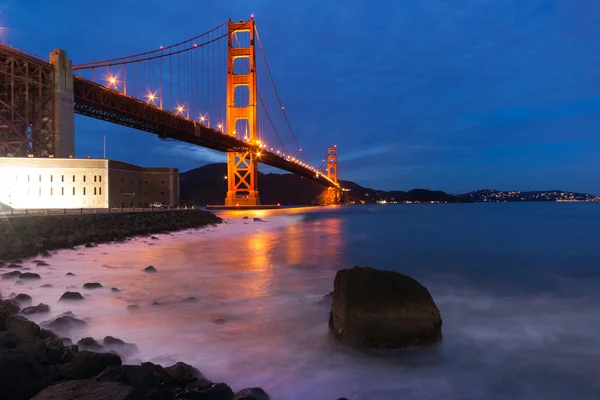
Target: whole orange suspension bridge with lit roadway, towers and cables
{"x": 211, "y": 90}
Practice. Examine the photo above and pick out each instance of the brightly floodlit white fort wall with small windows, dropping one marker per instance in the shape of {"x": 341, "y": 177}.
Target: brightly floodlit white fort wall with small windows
{"x": 53, "y": 183}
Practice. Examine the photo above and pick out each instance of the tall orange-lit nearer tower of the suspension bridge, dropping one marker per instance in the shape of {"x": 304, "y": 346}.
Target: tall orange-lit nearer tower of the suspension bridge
{"x": 242, "y": 167}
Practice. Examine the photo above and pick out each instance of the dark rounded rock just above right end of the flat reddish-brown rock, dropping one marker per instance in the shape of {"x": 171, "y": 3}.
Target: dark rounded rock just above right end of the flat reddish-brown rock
{"x": 147, "y": 376}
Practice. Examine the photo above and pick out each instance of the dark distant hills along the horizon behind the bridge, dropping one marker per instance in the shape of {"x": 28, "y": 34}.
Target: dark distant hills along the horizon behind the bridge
{"x": 207, "y": 185}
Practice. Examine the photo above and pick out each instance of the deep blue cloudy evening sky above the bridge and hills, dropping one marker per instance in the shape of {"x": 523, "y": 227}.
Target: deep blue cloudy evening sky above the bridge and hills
{"x": 454, "y": 95}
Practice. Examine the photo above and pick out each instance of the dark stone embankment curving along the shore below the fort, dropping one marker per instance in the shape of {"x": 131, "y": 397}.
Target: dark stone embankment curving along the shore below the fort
{"x": 29, "y": 235}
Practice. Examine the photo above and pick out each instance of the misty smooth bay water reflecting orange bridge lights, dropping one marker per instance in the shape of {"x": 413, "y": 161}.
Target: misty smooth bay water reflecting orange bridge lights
{"x": 517, "y": 286}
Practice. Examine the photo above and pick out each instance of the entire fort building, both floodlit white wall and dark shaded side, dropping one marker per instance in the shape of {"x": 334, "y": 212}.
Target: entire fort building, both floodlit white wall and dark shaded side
{"x": 84, "y": 183}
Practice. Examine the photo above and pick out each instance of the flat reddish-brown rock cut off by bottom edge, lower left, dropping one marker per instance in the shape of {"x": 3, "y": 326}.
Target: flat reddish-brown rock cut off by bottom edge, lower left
{"x": 87, "y": 389}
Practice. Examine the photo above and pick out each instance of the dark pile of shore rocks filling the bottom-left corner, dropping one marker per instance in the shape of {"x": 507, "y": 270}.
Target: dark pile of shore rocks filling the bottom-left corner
{"x": 35, "y": 364}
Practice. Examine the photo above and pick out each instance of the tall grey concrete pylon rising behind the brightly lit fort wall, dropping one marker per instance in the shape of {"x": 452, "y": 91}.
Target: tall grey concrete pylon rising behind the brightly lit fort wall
{"x": 64, "y": 105}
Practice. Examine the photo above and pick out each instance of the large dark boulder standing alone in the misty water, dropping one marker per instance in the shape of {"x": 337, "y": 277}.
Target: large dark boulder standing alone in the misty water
{"x": 382, "y": 309}
